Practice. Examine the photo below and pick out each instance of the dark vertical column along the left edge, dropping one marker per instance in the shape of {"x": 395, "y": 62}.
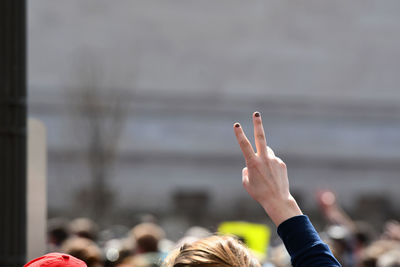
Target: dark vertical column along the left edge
{"x": 12, "y": 133}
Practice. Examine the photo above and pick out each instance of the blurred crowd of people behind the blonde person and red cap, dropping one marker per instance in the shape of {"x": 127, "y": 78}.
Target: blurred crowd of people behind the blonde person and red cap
{"x": 354, "y": 243}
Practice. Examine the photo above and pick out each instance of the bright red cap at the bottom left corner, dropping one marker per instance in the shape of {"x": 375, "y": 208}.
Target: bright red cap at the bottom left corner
{"x": 56, "y": 260}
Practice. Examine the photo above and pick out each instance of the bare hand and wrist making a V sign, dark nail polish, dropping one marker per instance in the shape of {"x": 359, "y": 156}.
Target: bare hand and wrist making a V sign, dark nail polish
{"x": 265, "y": 177}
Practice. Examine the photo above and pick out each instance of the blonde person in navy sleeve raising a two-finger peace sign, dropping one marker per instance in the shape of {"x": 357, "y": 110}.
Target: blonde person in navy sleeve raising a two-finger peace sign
{"x": 265, "y": 178}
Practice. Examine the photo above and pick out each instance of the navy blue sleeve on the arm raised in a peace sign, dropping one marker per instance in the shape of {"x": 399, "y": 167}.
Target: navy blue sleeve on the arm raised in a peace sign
{"x": 303, "y": 243}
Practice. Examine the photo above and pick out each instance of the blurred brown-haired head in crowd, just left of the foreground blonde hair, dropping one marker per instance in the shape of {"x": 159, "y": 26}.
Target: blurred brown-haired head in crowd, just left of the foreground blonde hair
{"x": 147, "y": 236}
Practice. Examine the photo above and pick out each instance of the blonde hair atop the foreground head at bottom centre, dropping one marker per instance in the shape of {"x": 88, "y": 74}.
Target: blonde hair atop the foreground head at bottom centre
{"x": 213, "y": 251}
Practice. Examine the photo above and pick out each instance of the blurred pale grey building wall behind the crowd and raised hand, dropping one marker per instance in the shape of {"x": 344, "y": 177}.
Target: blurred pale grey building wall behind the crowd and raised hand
{"x": 139, "y": 98}
